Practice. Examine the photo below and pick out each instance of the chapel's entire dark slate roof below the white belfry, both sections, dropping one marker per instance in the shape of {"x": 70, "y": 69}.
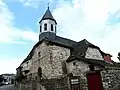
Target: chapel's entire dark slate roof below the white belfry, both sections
{"x": 77, "y": 48}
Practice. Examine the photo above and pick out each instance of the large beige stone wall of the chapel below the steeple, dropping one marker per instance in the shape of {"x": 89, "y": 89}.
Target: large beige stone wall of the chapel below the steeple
{"x": 50, "y": 60}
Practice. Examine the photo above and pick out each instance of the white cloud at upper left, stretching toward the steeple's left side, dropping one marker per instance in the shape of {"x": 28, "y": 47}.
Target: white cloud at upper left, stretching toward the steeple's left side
{"x": 8, "y": 32}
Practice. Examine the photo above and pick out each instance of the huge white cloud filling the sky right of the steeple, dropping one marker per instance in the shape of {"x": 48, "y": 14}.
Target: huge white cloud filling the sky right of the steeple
{"x": 89, "y": 19}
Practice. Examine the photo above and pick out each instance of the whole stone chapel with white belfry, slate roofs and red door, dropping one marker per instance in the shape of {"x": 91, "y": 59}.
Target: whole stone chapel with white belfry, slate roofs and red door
{"x": 58, "y": 63}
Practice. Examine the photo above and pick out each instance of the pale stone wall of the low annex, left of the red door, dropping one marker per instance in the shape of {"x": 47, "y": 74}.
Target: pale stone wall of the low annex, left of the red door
{"x": 80, "y": 68}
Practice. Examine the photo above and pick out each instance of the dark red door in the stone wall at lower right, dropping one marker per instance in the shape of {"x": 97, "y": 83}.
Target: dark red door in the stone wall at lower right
{"x": 94, "y": 81}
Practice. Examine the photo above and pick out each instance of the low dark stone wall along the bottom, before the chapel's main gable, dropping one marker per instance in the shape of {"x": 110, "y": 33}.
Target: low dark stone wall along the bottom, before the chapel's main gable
{"x": 51, "y": 84}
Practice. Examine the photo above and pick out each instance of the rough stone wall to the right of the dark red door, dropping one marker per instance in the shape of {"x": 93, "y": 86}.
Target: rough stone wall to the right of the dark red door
{"x": 111, "y": 78}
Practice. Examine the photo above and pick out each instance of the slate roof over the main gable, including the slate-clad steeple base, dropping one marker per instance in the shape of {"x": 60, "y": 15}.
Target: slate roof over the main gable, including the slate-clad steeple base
{"x": 53, "y": 38}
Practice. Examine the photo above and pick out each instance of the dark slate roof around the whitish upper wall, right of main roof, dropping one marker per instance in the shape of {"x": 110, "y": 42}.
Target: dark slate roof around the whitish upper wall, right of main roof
{"x": 79, "y": 51}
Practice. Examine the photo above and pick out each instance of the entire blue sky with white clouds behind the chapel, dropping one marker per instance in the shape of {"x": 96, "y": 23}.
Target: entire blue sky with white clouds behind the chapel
{"x": 98, "y": 21}
